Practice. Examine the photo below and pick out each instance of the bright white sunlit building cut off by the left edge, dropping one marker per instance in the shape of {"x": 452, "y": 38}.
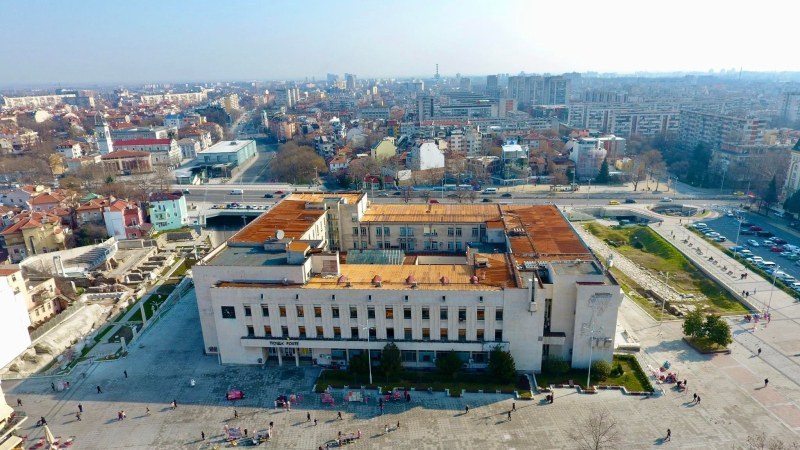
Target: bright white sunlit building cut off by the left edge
{"x": 14, "y": 319}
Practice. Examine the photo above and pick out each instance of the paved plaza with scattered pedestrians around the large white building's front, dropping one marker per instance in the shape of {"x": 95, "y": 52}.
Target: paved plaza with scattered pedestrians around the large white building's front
{"x": 162, "y": 362}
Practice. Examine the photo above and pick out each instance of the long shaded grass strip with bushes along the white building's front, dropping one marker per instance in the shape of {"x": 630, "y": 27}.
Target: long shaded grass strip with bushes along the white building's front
{"x": 417, "y": 379}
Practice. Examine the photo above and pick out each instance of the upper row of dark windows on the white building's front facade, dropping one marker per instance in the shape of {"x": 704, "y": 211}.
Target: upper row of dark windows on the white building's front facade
{"x": 229, "y": 312}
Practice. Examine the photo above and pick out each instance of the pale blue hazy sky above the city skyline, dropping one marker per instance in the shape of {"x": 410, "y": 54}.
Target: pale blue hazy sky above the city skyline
{"x": 119, "y": 41}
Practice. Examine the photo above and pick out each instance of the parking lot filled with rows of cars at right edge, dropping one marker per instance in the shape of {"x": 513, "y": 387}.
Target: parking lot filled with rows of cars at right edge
{"x": 785, "y": 260}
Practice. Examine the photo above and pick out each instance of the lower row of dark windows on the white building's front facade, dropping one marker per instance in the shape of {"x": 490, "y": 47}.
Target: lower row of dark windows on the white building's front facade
{"x": 407, "y": 333}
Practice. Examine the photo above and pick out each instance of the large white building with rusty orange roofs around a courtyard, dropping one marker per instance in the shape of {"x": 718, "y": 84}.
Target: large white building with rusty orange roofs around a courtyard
{"x": 324, "y": 277}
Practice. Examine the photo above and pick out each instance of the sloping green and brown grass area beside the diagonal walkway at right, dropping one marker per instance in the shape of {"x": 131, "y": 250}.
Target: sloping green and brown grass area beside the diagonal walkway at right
{"x": 646, "y": 248}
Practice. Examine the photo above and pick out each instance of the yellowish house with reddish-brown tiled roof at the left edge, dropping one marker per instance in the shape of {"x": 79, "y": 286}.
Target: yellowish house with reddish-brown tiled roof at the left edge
{"x": 33, "y": 233}
